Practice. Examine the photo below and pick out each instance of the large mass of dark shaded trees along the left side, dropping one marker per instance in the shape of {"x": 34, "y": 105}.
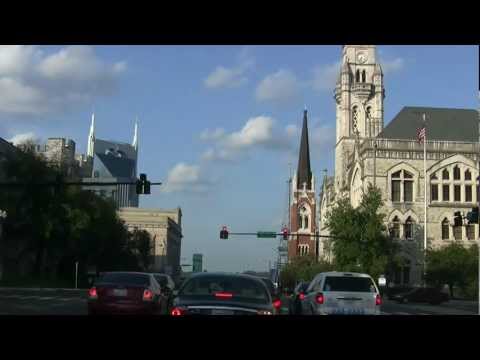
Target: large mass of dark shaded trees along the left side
{"x": 48, "y": 229}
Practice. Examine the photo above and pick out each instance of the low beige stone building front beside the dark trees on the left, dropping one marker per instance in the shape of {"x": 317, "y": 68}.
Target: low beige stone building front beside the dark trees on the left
{"x": 165, "y": 227}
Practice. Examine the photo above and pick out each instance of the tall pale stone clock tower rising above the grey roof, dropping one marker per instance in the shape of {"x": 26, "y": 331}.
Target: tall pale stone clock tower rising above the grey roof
{"x": 359, "y": 95}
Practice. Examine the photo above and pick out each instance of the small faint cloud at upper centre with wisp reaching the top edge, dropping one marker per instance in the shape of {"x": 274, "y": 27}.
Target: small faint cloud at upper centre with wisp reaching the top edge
{"x": 229, "y": 77}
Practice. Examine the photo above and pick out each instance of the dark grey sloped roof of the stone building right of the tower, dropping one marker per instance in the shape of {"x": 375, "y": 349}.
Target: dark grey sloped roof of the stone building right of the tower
{"x": 442, "y": 124}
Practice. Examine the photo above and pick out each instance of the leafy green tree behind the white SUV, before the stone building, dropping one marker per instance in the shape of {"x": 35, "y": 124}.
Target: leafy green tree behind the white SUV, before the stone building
{"x": 359, "y": 237}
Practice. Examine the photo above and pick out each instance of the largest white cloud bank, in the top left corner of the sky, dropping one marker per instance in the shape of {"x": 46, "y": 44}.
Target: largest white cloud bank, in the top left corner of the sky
{"x": 33, "y": 82}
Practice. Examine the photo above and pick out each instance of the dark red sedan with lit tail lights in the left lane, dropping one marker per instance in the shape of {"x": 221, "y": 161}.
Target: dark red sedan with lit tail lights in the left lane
{"x": 126, "y": 293}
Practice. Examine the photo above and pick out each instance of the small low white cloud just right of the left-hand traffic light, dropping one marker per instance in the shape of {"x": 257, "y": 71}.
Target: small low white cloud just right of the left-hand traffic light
{"x": 186, "y": 178}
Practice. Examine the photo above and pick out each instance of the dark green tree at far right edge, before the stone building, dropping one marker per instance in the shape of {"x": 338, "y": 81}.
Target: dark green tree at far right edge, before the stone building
{"x": 454, "y": 265}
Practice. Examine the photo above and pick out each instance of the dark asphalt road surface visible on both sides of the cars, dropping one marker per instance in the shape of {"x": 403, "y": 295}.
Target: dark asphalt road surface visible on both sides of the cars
{"x": 74, "y": 302}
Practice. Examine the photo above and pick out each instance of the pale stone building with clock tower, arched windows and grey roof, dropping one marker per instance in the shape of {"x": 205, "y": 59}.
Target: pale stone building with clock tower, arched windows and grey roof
{"x": 391, "y": 157}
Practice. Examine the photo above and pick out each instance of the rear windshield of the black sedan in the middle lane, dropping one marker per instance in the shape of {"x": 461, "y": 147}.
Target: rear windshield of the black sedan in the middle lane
{"x": 240, "y": 288}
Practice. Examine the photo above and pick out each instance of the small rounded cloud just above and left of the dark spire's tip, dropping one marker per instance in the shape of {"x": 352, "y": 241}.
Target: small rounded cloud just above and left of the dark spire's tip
{"x": 281, "y": 86}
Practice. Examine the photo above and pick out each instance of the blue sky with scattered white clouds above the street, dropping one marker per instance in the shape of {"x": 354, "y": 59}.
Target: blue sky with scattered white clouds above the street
{"x": 219, "y": 126}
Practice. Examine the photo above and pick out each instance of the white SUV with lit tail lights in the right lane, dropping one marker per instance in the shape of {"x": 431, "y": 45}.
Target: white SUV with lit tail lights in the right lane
{"x": 342, "y": 293}
